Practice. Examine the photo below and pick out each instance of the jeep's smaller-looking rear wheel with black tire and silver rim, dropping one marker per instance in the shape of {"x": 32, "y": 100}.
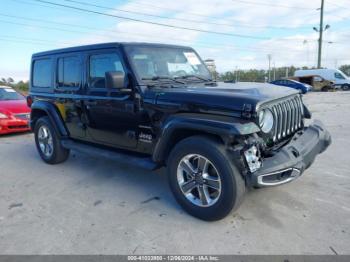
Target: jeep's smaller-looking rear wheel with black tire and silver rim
{"x": 48, "y": 142}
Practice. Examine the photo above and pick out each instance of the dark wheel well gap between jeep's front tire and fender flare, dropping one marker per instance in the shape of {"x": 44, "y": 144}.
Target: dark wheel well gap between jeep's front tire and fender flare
{"x": 179, "y": 135}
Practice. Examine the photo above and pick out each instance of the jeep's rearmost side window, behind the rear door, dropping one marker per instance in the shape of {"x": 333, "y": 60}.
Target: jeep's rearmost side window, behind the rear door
{"x": 42, "y": 73}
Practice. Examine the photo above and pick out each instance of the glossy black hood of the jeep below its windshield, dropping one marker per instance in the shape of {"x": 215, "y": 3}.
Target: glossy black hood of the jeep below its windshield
{"x": 224, "y": 96}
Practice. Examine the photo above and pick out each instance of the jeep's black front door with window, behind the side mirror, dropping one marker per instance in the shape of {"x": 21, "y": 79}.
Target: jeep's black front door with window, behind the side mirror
{"x": 110, "y": 114}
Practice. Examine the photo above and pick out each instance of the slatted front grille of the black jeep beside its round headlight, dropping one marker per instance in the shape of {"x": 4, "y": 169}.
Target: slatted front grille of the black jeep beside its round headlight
{"x": 288, "y": 115}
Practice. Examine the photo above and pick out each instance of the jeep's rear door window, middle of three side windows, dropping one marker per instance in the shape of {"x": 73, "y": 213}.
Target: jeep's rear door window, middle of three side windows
{"x": 68, "y": 73}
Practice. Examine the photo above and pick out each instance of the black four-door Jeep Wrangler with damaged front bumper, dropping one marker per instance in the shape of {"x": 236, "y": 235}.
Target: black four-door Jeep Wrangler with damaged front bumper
{"x": 156, "y": 105}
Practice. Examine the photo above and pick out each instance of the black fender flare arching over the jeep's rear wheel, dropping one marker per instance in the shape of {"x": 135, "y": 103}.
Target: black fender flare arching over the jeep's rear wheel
{"x": 52, "y": 112}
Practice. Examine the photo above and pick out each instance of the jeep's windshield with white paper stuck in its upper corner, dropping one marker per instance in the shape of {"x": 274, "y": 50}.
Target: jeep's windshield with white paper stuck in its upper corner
{"x": 154, "y": 63}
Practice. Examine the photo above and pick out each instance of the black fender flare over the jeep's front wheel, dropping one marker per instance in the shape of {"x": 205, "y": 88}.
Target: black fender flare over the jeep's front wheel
{"x": 226, "y": 128}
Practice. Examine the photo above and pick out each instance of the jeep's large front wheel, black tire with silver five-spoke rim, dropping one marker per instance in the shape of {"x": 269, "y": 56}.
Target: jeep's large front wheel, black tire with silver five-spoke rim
{"x": 232, "y": 185}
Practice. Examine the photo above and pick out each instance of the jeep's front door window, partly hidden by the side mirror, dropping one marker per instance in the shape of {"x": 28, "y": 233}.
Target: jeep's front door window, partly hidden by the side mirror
{"x": 100, "y": 64}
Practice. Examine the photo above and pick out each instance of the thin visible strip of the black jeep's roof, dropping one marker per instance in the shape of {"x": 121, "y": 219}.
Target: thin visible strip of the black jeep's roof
{"x": 103, "y": 46}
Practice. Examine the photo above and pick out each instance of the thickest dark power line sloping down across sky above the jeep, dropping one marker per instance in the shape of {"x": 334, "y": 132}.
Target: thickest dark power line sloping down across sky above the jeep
{"x": 150, "y": 22}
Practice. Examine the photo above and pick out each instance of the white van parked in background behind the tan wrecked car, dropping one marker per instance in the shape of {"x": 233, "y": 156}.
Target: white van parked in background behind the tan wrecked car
{"x": 336, "y": 76}
